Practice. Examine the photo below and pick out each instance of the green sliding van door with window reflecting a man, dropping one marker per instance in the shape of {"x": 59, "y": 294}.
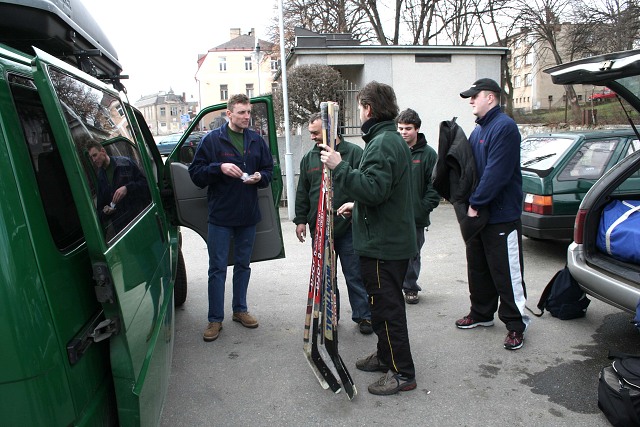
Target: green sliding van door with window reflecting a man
{"x": 125, "y": 228}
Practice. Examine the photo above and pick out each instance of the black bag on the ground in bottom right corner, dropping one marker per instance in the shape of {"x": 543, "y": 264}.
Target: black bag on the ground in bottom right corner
{"x": 619, "y": 390}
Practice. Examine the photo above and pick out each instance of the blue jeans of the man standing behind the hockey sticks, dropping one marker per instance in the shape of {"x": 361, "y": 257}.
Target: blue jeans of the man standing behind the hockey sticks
{"x": 350, "y": 264}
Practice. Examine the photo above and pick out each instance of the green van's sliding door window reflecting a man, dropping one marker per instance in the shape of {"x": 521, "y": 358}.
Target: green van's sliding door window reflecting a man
{"x": 111, "y": 158}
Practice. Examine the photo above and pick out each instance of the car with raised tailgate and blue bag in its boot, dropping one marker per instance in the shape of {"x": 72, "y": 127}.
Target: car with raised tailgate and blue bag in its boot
{"x": 600, "y": 274}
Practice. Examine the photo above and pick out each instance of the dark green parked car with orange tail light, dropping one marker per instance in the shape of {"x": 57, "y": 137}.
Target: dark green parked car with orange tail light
{"x": 557, "y": 171}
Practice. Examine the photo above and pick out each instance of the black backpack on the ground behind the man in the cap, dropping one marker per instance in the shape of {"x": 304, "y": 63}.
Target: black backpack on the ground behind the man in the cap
{"x": 563, "y": 297}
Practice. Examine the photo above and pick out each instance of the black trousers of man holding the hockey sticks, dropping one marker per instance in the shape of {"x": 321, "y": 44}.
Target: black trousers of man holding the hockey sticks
{"x": 383, "y": 280}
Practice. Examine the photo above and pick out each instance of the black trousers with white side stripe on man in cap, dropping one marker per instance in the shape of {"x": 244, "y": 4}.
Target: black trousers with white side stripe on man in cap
{"x": 496, "y": 272}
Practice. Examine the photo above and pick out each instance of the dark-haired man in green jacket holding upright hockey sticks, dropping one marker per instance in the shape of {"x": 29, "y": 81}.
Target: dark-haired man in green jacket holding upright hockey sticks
{"x": 384, "y": 233}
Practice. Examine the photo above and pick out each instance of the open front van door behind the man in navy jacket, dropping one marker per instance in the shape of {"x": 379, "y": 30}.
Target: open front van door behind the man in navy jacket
{"x": 191, "y": 201}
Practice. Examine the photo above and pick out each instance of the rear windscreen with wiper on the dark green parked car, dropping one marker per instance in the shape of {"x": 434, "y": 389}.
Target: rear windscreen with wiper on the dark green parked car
{"x": 542, "y": 152}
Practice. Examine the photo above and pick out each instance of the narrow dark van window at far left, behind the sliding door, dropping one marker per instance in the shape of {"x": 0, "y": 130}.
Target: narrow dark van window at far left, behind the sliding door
{"x": 55, "y": 192}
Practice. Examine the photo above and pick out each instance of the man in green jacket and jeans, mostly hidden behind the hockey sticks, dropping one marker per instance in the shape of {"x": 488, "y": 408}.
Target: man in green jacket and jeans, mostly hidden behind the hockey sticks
{"x": 307, "y": 195}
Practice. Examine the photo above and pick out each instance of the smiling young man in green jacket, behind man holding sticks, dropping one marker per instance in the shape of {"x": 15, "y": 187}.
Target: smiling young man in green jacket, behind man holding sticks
{"x": 425, "y": 197}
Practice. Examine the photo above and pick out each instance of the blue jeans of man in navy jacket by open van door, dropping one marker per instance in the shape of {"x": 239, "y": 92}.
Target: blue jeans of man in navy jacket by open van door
{"x": 218, "y": 241}
